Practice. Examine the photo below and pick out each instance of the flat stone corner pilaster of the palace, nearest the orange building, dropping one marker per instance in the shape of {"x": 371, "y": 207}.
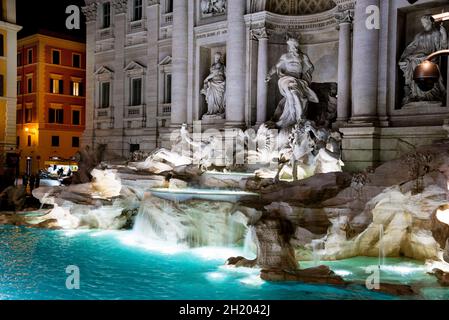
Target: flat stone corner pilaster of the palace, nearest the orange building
{"x": 90, "y": 11}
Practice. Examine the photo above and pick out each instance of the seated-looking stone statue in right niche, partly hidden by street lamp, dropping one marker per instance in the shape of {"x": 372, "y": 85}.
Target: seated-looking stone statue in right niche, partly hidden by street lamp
{"x": 432, "y": 39}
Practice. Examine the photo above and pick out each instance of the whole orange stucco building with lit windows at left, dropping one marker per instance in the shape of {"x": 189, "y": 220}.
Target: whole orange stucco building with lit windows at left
{"x": 51, "y": 78}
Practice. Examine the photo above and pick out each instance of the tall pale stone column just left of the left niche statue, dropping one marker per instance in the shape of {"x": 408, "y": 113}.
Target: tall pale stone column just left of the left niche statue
{"x": 180, "y": 60}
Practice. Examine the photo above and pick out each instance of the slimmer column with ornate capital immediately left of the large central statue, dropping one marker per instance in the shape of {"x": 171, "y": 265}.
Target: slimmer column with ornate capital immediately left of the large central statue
{"x": 262, "y": 71}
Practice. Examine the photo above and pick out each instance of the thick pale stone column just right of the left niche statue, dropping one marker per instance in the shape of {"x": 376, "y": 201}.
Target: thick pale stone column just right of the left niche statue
{"x": 236, "y": 57}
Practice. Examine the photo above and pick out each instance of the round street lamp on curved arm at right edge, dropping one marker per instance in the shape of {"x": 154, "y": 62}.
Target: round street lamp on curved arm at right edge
{"x": 427, "y": 73}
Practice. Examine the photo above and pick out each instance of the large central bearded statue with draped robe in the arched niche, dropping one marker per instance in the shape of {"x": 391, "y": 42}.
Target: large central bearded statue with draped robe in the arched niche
{"x": 294, "y": 70}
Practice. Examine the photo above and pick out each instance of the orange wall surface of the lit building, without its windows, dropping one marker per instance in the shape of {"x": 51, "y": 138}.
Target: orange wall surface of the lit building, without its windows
{"x": 40, "y": 130}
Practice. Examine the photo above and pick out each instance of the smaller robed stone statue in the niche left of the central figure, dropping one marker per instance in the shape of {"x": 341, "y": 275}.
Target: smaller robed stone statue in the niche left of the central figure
{"x": 215, "y": 89}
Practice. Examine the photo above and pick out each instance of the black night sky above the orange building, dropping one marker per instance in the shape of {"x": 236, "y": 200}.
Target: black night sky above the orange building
{"x": 49, "y": 16}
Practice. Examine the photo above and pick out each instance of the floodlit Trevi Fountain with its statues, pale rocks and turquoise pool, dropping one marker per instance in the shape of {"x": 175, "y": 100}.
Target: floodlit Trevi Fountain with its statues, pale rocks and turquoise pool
{"x": 270, "y": 212}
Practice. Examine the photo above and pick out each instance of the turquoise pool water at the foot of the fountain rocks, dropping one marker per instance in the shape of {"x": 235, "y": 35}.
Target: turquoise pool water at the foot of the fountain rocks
{"x": 114, "y": 266}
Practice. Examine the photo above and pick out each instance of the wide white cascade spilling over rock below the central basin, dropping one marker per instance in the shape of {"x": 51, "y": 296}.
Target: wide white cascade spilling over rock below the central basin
{"x": 191, "y": 224}
